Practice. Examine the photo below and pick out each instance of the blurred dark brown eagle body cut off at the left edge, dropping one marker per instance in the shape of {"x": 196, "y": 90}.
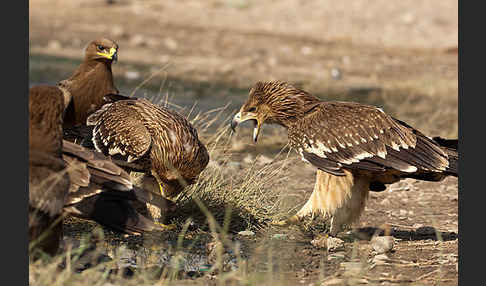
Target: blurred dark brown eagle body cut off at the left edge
{"x": 48, "y": 180}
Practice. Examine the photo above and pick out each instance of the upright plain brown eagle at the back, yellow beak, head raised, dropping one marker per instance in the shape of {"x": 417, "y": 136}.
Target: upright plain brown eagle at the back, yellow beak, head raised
{"x": 90, "y": 82}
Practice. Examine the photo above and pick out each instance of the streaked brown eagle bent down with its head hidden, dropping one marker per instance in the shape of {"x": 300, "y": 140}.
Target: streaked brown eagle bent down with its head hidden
{"x": 162, "y": 145}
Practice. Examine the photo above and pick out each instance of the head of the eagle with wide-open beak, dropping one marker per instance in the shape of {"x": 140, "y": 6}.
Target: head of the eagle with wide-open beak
{"x": 274, "y": 102}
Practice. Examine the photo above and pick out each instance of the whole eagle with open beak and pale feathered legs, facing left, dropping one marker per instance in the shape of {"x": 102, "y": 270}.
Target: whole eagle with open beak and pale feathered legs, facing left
{"x": 356, "y": 148}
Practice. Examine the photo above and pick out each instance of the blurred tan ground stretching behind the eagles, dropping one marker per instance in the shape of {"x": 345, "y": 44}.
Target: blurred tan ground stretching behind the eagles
{"x": 401, "y": 55}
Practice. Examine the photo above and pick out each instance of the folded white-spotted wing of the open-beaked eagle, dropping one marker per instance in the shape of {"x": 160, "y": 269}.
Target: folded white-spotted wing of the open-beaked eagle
{"x": 352, "y": 135}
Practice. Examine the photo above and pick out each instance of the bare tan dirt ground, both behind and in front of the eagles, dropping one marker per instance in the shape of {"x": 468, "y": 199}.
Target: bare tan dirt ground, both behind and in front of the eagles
{"x": 400, "y": 55}
